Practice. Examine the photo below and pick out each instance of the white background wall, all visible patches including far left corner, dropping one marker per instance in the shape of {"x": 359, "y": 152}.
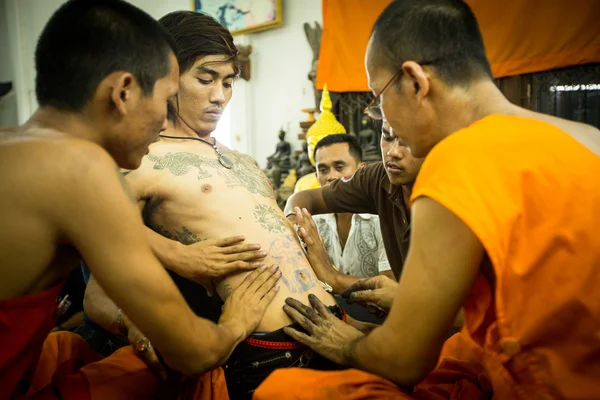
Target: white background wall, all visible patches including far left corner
{"x": 278, "y": 89}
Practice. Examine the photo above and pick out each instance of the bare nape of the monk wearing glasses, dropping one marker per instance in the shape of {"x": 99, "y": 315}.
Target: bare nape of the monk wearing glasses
{"x": 463, "y": 107}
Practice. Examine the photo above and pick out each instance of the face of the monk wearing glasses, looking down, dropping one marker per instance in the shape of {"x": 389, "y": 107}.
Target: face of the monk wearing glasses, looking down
{"x": 406, "y": 116}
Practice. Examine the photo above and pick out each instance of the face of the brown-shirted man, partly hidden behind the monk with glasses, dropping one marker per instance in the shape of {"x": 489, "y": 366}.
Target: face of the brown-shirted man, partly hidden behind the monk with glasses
{"x": 400, "y": 165}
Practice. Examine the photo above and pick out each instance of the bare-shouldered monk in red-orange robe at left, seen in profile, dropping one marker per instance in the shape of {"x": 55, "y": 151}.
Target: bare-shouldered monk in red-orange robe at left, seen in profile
{"x": 105, "y": 71}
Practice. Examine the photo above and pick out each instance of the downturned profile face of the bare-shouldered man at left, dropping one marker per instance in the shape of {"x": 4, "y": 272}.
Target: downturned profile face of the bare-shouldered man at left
{"x": 148, "y": 117}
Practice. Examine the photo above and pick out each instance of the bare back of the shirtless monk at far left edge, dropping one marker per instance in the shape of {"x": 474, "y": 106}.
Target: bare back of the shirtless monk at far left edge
{"x": 34, "y": 256}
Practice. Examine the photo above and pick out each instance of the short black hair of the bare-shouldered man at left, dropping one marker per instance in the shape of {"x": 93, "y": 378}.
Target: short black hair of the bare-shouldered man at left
{"x": 86, "y": 40}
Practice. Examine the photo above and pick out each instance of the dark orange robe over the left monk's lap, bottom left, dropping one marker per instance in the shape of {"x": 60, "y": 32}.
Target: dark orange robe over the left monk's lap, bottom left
{"x": 68, "y": 364}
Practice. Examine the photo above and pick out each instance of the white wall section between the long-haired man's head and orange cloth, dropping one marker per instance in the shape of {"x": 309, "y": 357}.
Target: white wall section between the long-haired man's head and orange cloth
{"x": 279, "y": 88}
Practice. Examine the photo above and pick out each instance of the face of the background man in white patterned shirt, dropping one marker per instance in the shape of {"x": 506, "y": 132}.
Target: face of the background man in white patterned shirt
{"x": 334, "y": 162}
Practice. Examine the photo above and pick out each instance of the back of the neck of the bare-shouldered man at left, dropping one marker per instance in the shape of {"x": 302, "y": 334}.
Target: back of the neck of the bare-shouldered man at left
{"x": 66, "y": 122}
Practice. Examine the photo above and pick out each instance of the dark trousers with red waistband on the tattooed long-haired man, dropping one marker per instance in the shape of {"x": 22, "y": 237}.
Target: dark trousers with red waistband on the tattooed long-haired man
{"x": 259, "y": 355}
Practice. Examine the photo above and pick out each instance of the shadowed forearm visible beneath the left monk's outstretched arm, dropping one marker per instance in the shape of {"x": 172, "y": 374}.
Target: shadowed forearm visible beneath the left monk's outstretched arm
{"x": 99, "y": 307}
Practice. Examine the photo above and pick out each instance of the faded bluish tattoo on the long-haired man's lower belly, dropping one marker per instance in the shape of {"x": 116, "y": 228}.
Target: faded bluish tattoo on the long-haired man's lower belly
{"x": 286, "y": 251}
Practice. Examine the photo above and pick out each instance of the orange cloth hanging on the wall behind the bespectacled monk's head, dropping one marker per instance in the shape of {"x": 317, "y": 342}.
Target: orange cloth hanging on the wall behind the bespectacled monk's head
{"x": 520, "y": 37}
